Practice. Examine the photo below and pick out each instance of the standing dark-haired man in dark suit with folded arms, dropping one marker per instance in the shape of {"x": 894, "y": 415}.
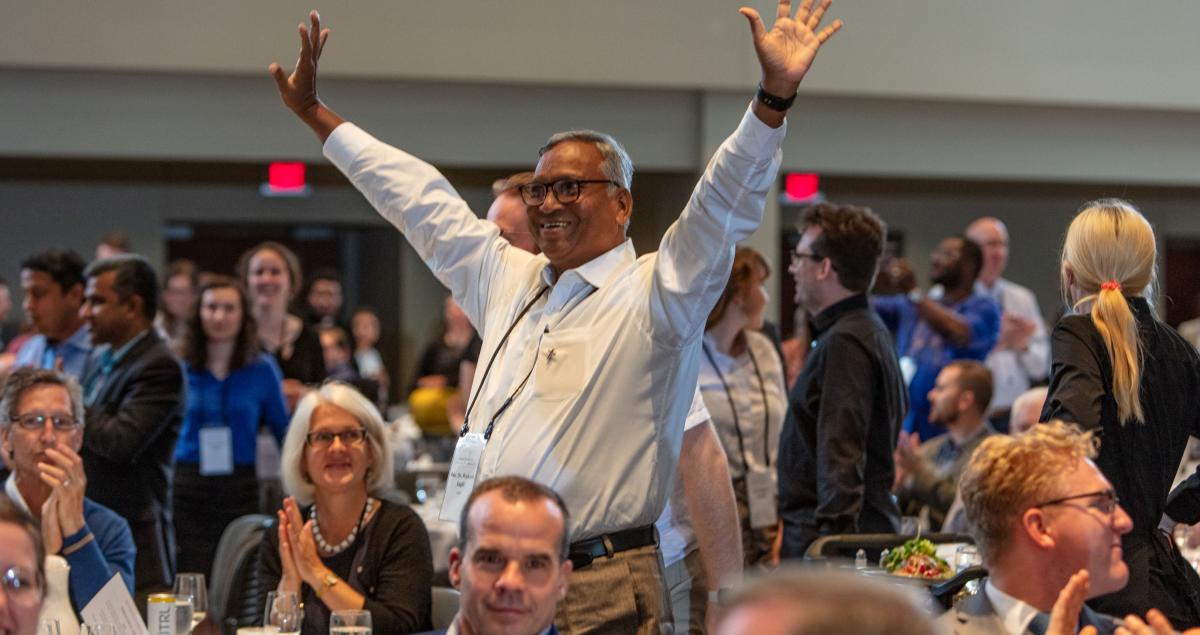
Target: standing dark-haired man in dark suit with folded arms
{"x": 135, "y": 397}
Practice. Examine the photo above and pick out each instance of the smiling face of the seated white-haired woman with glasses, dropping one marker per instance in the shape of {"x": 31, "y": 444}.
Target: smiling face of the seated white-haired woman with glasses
{"x": 341, "y": 468}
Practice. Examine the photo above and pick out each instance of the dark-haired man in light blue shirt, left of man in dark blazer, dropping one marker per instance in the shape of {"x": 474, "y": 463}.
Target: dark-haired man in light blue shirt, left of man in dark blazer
{"x": 53, "y": 287}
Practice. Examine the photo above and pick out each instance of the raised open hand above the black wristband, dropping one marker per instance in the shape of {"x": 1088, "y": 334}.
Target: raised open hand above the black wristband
{"x": 788, "y": 50}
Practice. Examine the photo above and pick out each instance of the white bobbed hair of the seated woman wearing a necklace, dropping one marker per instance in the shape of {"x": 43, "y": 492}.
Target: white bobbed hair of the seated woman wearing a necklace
{"x": 297, "y": 481}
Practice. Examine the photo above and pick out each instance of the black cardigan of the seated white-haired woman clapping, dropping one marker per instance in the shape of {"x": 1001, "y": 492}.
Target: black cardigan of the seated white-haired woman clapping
{"x": 393, "y": 570}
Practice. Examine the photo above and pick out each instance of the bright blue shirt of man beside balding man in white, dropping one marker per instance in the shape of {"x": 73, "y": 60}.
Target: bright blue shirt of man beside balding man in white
{"x": 931, "y": 352}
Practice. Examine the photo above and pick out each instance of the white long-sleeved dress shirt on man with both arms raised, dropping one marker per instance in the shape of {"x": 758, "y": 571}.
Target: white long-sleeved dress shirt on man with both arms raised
{"x": 611, "y": 352}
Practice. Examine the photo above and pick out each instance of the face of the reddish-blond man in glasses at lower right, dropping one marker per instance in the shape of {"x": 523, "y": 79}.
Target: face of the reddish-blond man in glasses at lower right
{"x": 1085, "y": 537}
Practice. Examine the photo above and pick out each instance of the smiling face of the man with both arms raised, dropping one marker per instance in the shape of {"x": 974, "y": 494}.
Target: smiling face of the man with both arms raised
{"x": 578, "y": 232}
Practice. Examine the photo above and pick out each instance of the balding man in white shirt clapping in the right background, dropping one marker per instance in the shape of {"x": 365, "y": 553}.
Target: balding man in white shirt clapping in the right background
{"x": 1022, "y": 356}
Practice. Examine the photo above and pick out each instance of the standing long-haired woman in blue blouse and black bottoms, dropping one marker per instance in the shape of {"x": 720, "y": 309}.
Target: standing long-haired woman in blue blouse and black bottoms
{"x": 233, "y": 391}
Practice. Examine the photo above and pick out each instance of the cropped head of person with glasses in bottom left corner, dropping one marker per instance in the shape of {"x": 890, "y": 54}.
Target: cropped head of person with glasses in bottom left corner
{"x": 22, "y": 571}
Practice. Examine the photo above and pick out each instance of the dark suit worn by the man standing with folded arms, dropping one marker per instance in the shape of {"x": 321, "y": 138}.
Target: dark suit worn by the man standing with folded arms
{"x": 129, "y": 447}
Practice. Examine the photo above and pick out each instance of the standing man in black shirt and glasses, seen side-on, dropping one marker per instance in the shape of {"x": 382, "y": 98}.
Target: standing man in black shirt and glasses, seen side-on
{"x": 836, "y": 451}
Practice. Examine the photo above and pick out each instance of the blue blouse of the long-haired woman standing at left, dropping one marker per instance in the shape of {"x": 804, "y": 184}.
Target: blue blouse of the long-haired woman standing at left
{"x": 244, "y": 400}
